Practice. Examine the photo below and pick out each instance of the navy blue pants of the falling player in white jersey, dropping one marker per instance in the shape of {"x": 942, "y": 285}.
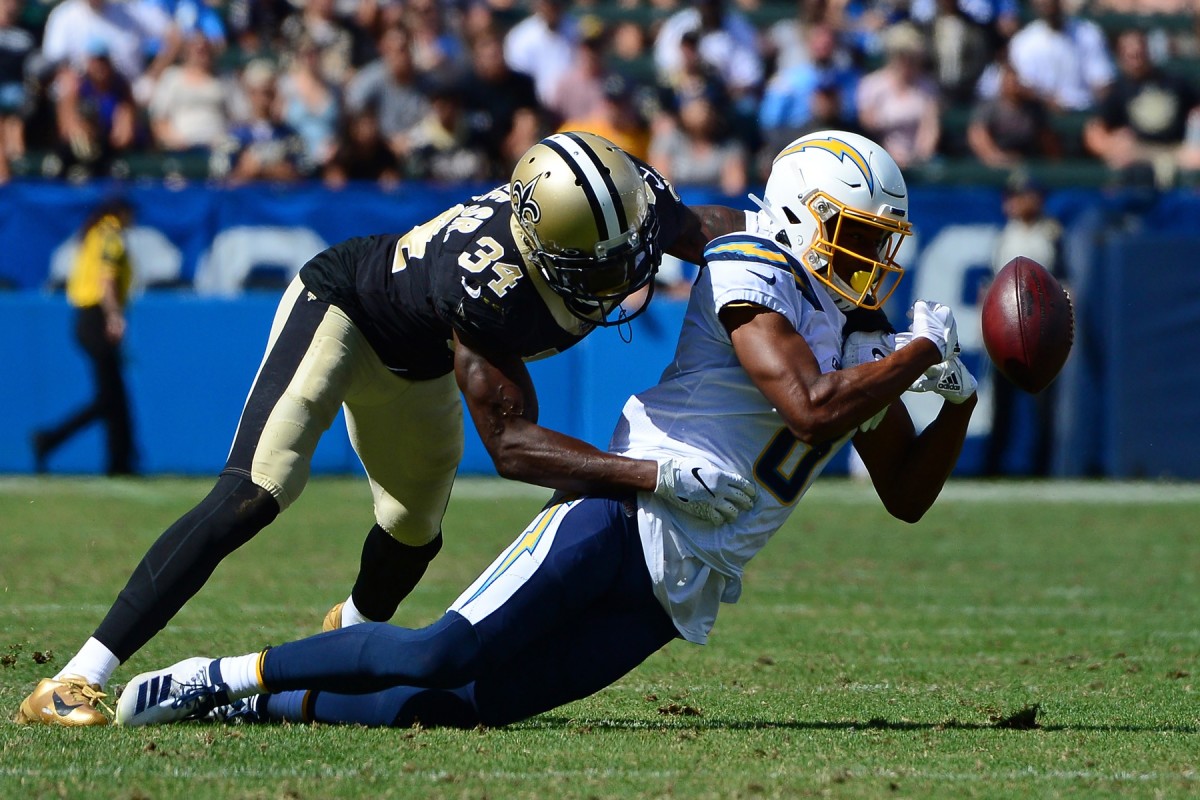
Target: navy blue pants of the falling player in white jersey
{"x": 585, "y": 617}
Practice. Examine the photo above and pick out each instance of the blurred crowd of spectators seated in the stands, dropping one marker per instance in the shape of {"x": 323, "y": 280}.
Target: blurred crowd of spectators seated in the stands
{"x": 709, "y": 92}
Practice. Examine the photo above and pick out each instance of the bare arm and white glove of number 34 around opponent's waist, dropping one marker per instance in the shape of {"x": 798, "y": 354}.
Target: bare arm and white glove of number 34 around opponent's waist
{"x": 503, "y": 406}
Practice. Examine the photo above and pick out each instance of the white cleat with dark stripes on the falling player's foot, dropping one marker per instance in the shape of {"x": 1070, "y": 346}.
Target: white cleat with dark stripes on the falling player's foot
{"x": 184, "y": 691}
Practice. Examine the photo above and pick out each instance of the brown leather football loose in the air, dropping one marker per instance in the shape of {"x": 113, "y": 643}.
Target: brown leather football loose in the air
{"x": 1029, "y": 324}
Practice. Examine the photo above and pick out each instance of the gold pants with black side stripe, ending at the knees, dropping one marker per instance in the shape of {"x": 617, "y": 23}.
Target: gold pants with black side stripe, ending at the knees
{"x": 407, "y": 434}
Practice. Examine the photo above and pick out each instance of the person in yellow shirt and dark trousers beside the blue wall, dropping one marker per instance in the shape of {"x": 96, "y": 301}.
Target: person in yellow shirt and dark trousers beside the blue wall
{"x": 99, "y": 288}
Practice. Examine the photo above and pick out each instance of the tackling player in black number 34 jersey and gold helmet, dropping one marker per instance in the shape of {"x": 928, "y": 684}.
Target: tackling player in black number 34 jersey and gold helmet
{"x": 392, "y": 328}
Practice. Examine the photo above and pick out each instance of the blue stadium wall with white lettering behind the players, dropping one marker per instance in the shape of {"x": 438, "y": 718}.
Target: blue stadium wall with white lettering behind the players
{"x": 1129, "y": 402}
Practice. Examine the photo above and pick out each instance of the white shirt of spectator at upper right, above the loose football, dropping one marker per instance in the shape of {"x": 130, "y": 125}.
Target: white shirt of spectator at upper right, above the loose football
{"x": 1064, "y": 59}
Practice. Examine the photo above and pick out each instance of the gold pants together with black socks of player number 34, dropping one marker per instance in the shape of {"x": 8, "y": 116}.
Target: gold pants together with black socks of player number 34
{"x": 409, "y": 436}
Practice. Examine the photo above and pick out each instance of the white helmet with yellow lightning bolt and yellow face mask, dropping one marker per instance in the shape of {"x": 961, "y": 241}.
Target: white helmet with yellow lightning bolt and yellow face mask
{"x": 820, "y": 182}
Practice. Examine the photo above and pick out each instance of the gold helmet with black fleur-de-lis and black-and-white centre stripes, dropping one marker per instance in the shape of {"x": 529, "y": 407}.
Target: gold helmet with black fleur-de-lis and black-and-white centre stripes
{"x": 589, "y": 218}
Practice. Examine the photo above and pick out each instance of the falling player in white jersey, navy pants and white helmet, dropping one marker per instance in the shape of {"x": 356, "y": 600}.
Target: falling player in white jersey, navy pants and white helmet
{"x": 783, "y": 359}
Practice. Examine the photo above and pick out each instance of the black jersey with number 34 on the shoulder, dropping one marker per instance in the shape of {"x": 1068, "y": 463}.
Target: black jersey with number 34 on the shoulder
{"x": 461, "y": 272}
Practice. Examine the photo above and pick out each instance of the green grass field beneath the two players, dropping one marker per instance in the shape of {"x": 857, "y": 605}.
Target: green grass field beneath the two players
{"x": 1024, "y": 641}
